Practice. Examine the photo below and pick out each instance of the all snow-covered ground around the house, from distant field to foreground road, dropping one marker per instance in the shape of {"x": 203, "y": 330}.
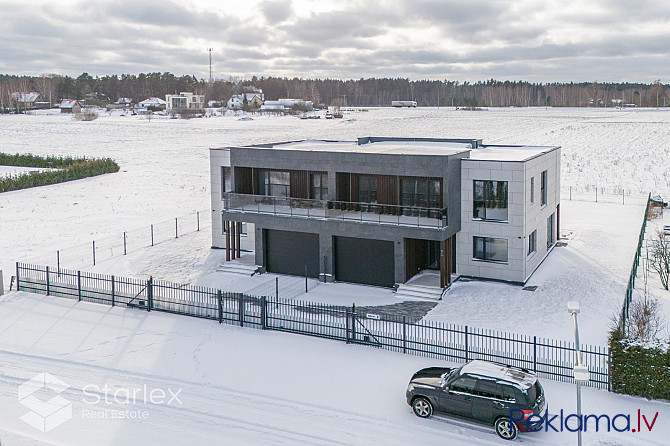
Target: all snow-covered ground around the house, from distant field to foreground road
{"x": 251, "y": 387}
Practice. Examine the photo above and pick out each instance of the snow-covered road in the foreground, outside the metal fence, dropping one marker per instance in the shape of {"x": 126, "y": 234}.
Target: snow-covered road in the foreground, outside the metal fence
{"x": 237, "y": 385}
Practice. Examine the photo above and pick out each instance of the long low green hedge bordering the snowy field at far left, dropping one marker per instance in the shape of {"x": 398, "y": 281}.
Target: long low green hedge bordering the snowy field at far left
{"x": 68, "y": 169}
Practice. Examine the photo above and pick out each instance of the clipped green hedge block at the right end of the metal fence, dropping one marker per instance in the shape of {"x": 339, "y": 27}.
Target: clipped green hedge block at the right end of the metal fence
{"x": 638, "y": 370}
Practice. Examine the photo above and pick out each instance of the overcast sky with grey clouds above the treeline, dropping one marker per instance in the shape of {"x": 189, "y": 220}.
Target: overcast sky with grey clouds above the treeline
{"x": 534, "y": 40}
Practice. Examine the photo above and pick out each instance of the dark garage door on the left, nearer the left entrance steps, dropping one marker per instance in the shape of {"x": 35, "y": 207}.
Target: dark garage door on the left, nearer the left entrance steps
{"x": 288, "y": 252}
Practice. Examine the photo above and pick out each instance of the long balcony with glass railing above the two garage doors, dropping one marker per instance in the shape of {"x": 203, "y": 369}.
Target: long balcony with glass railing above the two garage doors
{"x": 382, "y": 214}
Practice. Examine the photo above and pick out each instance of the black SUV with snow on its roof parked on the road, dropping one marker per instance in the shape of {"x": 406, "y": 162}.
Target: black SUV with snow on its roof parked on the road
{"x": 509, "y": 398}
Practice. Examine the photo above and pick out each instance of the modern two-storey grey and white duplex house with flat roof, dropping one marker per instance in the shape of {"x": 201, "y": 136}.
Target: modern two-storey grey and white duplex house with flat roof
{"x": 380, "y": 210}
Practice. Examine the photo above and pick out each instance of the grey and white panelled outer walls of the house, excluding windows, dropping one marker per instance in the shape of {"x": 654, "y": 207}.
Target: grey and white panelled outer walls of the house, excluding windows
{"x": 453, "y": 165}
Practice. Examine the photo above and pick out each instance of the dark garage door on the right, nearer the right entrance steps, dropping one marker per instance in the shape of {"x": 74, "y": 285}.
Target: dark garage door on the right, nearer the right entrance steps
{"x": 366, "y": 261}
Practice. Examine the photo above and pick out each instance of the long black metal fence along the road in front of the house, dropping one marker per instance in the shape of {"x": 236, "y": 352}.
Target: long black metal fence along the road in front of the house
{"x": 549, "y": 358}
